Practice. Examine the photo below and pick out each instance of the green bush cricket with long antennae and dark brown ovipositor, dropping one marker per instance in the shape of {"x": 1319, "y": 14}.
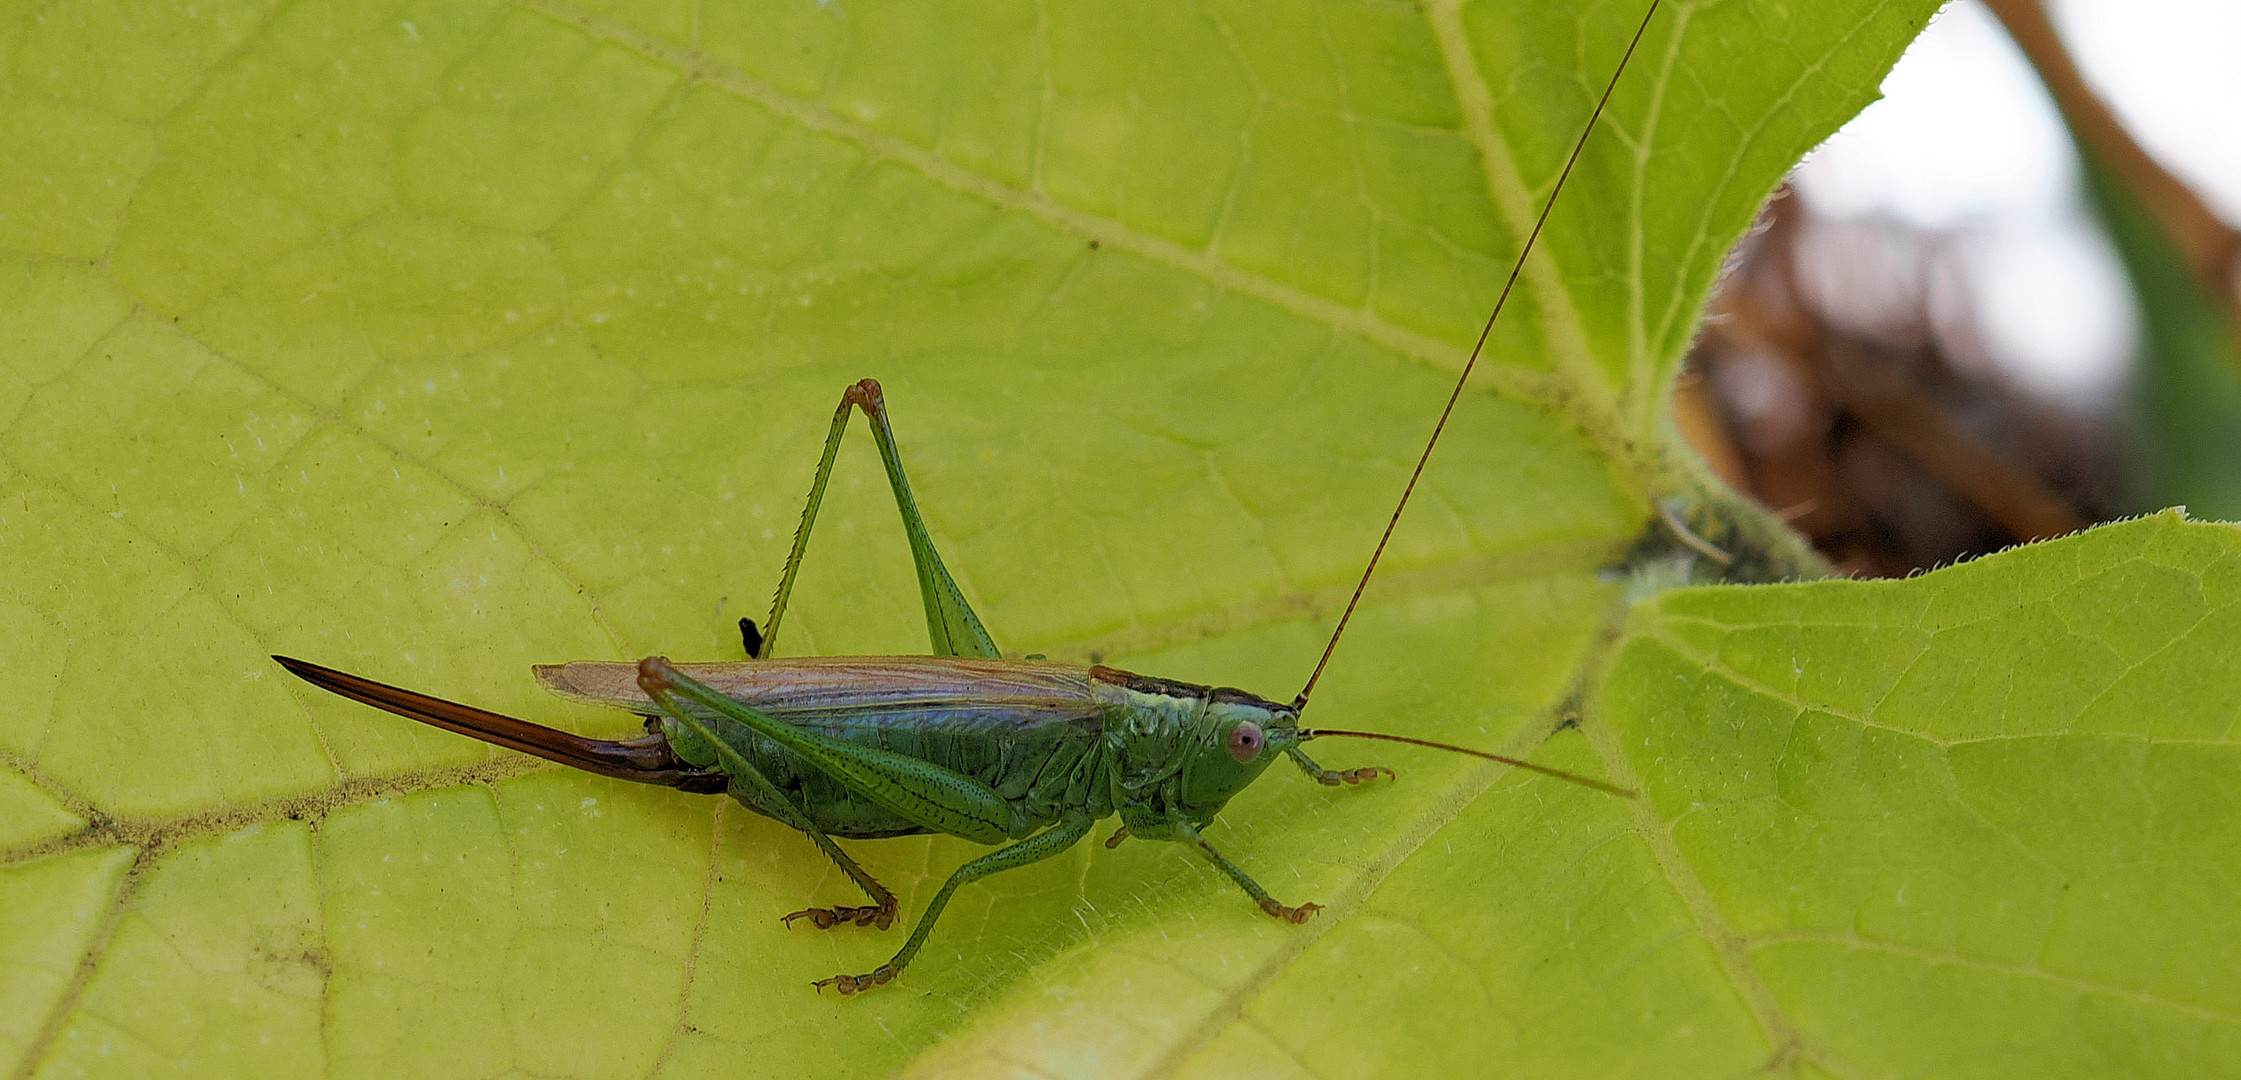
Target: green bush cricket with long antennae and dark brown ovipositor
{"x": 1003, "y": 752}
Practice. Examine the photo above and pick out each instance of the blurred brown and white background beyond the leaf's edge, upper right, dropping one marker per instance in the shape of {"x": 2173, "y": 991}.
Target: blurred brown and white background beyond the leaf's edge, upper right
{"x": 2000, "y": 306}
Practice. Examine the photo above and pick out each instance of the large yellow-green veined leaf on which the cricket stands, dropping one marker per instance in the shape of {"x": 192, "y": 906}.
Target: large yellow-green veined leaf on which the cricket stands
{"x": 443, "y": 339}
